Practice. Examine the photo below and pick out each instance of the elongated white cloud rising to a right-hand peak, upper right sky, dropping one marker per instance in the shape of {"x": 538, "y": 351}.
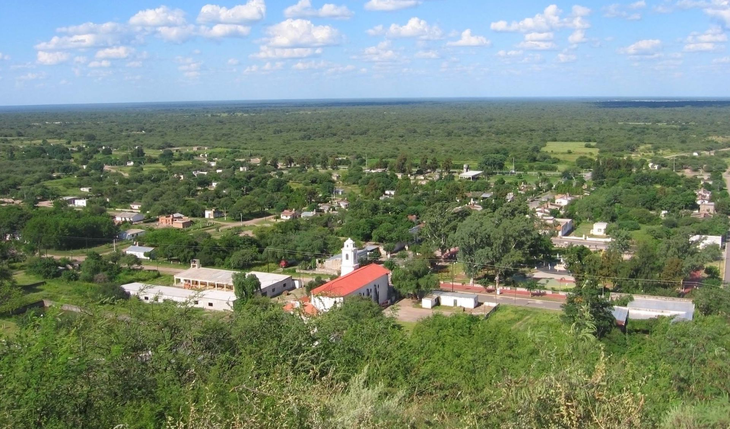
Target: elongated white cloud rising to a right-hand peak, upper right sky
{"x": 547, "y": 21}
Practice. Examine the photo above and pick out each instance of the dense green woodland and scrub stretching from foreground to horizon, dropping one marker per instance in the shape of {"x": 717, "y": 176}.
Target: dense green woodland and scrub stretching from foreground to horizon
{"x": 121, "y": 362}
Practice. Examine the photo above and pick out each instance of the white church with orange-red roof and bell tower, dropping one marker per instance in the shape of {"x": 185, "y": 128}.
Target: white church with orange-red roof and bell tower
{"x": 371, "y": 281}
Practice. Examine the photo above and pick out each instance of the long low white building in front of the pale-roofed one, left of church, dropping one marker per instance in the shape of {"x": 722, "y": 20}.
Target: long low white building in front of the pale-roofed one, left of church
{"x": 208, "y": 299}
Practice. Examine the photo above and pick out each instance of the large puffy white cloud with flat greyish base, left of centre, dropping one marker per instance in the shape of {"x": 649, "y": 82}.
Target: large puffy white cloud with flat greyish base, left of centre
{"x": 300, "y": 33}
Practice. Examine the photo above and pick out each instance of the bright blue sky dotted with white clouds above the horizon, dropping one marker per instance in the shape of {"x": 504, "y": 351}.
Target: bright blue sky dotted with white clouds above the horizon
{"x": 97, "y": 52}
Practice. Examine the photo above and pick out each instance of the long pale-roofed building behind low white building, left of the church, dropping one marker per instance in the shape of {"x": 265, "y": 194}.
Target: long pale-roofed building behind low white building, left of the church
{"x": 197, "y": 277}
